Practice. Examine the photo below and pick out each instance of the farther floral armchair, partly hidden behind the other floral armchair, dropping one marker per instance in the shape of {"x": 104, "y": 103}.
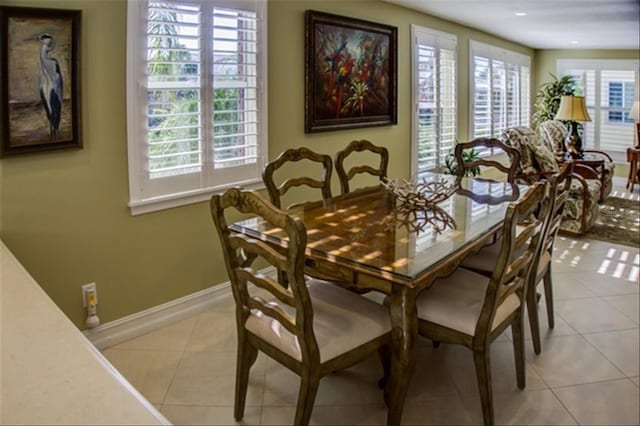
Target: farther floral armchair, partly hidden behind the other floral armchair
{"x": 554, "y": 132}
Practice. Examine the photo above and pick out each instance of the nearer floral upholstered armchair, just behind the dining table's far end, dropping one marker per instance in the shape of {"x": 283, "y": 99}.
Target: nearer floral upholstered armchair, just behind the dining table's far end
{"x": 537, "y": 161}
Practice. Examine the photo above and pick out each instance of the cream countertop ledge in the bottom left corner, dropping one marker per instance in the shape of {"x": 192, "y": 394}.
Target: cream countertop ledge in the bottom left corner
{"x": 49, "y": 372}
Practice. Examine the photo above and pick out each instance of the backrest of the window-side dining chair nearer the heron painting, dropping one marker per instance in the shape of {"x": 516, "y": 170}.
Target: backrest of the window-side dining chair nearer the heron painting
{"x": 293, "y": 155}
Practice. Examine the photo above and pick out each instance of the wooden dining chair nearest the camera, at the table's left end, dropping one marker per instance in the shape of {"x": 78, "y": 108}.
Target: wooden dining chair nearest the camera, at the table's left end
{"x": 311, "y": 326}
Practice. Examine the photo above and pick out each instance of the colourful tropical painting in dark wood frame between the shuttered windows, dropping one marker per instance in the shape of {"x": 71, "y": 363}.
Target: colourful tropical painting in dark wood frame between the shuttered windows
{"x": 338, "y": 56}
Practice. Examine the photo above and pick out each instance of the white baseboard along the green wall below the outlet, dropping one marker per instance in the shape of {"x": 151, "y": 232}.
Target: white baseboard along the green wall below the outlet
{"x": 120, "y": 330}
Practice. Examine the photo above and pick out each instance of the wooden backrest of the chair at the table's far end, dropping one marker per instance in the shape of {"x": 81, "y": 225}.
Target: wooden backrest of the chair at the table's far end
{"x": 508, "y": 169}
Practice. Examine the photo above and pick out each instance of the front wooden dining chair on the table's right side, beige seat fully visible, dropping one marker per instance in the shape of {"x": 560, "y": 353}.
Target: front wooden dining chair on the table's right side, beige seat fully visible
{"x": 471, "y": 309}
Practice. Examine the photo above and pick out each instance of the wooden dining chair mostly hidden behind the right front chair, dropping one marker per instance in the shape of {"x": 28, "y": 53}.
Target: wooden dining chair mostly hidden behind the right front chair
{"x": 485, "y": 260}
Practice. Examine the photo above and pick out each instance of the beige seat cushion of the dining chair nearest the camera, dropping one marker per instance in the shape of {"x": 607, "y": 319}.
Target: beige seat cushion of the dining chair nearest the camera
{"x": 342, "y": 320}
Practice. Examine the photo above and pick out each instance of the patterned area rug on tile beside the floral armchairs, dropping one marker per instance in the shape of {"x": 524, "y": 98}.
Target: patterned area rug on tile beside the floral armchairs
{"x": 618, "y": 222}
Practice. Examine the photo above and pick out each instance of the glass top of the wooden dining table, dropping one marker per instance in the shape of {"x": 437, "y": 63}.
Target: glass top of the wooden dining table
{"x": 366, "y": 228}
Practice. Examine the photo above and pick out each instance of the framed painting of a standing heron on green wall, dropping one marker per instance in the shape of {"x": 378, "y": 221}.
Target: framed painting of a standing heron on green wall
{"x": 40, "y": 99}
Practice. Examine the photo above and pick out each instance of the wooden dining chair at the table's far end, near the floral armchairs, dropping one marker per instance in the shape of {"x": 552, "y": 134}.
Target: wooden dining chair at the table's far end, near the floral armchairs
{"x": 498, "y": 170}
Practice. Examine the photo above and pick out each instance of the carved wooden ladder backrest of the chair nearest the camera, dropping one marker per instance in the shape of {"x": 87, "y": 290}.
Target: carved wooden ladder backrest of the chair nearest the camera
{"x": 240, "y": 251}
